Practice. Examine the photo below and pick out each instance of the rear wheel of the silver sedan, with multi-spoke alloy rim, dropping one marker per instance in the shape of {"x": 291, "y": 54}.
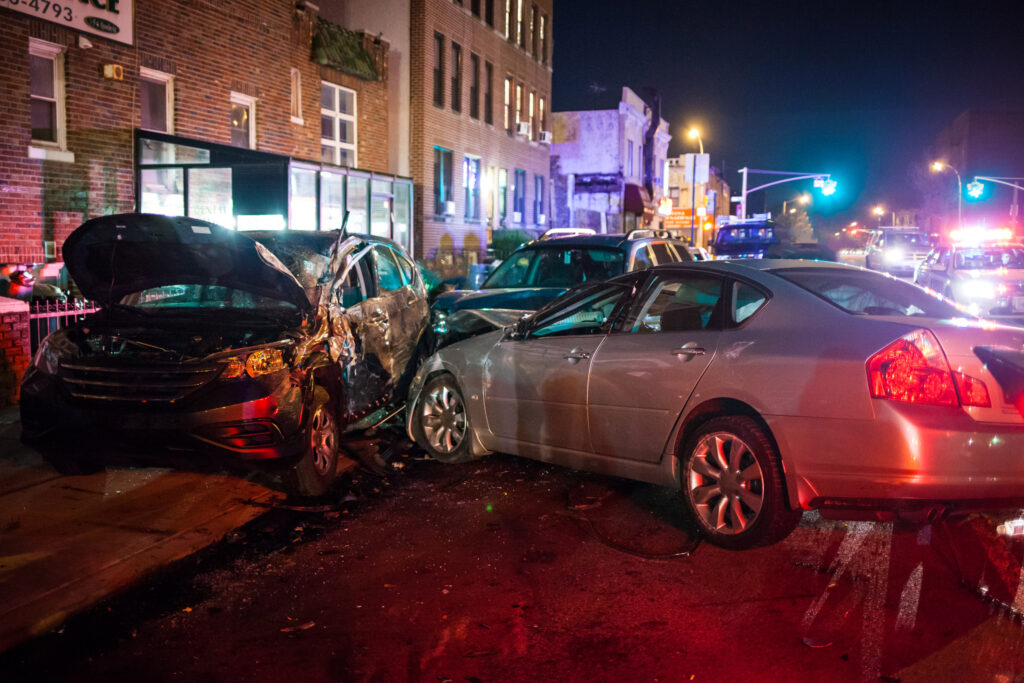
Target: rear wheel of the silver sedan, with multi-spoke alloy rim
{"x": 748, "y": 507}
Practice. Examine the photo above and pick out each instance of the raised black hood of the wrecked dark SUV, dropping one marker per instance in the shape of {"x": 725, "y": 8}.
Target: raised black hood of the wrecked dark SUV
{"x": 112, "y": 257}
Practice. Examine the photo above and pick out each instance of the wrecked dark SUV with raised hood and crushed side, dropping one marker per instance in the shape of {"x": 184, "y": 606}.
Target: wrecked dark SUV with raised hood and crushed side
{"x": 250, "y": 350}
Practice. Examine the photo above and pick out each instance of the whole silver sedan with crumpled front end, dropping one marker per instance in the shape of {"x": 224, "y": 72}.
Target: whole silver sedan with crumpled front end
{"x": 760, "y": 389}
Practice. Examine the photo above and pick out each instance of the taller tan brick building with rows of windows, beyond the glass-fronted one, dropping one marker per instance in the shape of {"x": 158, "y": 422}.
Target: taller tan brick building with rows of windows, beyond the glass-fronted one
{"x": 481, "y": 97}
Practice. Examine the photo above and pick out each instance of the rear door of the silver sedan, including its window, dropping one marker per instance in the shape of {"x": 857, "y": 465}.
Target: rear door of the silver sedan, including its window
{"x": 645, "y": 372}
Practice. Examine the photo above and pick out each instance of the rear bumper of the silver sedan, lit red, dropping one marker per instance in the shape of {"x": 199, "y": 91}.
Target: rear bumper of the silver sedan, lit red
{"x": 910, "y": 456}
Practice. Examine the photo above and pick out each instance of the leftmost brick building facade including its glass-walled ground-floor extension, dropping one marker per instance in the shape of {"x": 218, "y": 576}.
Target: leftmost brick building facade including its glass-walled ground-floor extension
{"x": 248, "y": 113}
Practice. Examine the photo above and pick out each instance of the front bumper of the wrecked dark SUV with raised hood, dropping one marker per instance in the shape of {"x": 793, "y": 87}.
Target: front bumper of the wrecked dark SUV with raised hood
{"x": 260, "y": 425}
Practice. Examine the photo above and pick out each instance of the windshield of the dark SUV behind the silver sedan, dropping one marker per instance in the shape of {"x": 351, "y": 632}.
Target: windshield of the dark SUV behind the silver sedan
{"x": 557, "y": 267}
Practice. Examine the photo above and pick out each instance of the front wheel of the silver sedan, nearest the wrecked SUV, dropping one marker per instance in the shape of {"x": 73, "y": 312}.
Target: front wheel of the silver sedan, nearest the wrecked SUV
{"x": 441, "y": 421}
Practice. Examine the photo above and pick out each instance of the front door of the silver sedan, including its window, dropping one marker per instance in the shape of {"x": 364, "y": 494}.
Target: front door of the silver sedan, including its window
{"x": 535, "y": 389}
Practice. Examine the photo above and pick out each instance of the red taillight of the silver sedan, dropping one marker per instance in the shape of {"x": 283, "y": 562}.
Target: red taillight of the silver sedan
{"x": 915, "y": 370}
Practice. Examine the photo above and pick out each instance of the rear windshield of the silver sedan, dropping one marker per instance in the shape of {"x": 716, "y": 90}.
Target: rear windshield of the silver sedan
{"x": 867, "y": 293}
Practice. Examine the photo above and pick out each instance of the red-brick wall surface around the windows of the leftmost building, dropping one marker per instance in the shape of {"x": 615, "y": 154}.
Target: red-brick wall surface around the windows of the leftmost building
{"x": 211, "y": 50}
